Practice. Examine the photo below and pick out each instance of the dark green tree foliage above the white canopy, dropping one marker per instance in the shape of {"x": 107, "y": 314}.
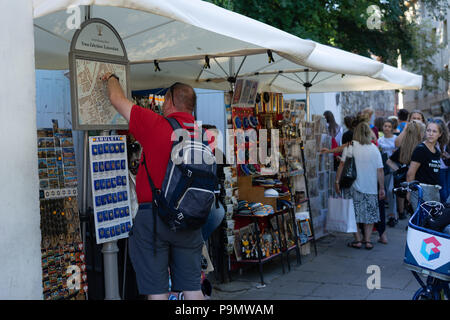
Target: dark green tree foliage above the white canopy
{"x": 352, "y": 25}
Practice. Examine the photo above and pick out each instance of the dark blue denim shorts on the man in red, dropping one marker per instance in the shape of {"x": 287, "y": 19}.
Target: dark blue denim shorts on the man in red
{"x": 178, "y": 251}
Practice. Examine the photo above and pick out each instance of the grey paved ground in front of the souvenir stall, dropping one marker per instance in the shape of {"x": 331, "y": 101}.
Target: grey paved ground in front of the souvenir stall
{"x": 336, "y": 273}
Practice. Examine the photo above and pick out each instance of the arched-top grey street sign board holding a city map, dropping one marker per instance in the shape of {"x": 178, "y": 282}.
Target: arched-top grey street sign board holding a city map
{"x": 96, "y": 49}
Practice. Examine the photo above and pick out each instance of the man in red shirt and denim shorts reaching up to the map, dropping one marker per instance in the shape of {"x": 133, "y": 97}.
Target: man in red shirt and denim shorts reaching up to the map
{"x": 181, "y": 250}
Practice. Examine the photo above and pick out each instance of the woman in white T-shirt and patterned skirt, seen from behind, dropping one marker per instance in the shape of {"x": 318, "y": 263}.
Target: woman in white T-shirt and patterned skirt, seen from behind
{"x": 369, "y": 184}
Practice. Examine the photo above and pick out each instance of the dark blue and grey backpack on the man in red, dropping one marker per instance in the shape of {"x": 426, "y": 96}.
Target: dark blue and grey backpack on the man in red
{"x": 188, "y": 189}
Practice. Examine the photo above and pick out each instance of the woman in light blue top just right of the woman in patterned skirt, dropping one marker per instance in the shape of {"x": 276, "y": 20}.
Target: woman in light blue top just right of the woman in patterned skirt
{"x": 387, "y": 147}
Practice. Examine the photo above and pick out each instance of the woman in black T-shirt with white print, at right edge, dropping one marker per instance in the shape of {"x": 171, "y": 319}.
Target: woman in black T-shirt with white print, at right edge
{"x": 425, "y": 163}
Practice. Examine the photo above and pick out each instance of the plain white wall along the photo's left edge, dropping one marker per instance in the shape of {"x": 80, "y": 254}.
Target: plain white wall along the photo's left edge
{"x": 20, "y": 236}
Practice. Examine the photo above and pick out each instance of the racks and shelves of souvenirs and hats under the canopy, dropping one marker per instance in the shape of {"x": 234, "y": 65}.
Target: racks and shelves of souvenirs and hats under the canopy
{"x": 277, "y": 183}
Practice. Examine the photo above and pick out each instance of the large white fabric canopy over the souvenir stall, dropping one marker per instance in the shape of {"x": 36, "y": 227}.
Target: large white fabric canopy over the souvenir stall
{"x": 179, "y": 34}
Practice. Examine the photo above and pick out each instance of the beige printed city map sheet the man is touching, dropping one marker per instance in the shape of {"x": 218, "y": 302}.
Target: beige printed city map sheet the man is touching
{"x": 94, "y": 107}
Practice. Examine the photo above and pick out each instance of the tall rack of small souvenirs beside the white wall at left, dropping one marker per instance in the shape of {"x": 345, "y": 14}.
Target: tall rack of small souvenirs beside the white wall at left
{"x": 63, "y": 261}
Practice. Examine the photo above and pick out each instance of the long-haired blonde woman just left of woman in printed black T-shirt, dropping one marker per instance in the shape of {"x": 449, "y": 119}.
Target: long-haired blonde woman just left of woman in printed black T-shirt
{"x": 401, "y": 158}
